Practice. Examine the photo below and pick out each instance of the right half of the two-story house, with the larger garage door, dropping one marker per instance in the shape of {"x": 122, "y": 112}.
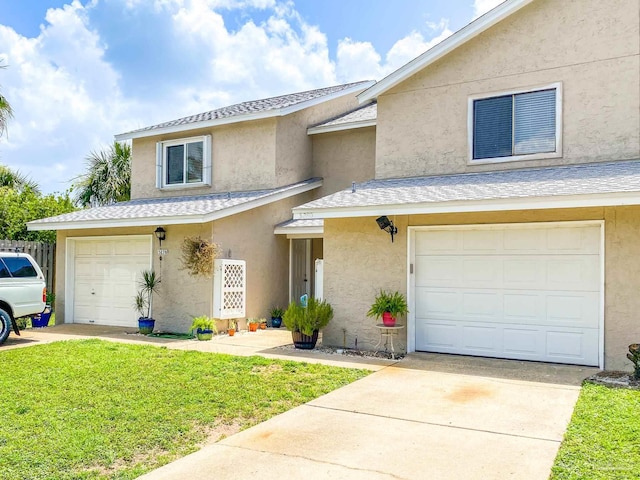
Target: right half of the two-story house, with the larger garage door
{"x": 508, "y": 159}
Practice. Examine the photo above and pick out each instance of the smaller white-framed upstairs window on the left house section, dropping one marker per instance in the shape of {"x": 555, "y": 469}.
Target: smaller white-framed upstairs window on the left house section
{"x": 184, "y": 163}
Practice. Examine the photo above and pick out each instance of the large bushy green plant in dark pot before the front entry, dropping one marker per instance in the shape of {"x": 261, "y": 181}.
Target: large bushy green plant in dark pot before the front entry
{"x": 306, "y": 322}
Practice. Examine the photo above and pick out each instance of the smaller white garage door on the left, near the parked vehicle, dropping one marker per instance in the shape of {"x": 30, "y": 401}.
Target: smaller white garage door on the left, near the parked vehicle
{"x": 105, "y": 277}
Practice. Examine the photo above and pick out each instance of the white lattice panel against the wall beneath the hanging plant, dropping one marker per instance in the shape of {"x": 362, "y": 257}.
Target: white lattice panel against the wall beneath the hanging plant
{"x": 229, "y": 288}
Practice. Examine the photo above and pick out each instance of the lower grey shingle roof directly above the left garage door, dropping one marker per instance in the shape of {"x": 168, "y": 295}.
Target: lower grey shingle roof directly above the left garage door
{"x": 182, "y": 209}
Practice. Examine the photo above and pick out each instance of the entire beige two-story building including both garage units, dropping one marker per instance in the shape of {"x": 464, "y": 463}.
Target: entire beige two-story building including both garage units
{"x": 507, "y": 157}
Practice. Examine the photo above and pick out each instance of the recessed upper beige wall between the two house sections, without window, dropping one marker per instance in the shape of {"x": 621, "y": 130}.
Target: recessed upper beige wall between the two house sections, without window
{"x": 344, "y": 157}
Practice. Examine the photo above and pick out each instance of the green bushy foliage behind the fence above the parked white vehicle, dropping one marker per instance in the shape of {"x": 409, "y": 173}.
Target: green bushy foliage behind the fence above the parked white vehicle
{"x": 17, "y": 207}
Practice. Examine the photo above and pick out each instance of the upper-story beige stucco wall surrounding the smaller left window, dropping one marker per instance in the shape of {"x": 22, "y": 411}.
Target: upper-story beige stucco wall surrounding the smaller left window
{"x": 245, "y": 155}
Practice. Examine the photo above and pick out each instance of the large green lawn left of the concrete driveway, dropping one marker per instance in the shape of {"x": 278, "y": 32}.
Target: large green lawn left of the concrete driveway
{"x": 95, "y": 410}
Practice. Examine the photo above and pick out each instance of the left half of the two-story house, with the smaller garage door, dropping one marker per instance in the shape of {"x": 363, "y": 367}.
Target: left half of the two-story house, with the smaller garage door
{"x": 229, "y": 176}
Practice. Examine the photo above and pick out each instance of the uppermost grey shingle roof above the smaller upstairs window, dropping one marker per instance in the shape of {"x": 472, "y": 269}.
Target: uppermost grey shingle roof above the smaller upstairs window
{"x": 253, "y": 107}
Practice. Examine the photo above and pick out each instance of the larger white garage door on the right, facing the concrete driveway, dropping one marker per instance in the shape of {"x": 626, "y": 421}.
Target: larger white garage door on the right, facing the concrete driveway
{"x": 529, "y": 292}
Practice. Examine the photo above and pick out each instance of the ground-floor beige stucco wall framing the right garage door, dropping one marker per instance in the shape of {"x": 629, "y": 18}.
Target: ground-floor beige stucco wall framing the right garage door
{"x": 360, "y": 259}
